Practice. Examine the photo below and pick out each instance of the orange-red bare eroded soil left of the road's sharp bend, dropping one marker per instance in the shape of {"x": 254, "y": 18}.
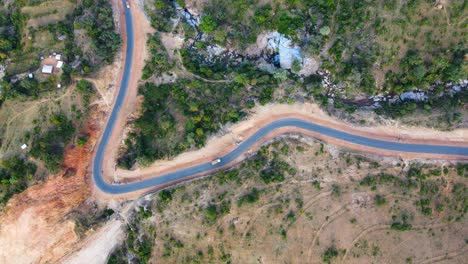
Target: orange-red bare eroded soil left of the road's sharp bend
{"x": 34, "y": 228}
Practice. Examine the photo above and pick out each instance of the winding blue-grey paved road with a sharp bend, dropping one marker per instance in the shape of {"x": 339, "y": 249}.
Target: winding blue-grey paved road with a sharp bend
{"x": 242, "y": 148}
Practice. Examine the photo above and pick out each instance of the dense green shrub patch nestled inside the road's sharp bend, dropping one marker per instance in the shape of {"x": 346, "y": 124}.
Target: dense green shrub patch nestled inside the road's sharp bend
{"x": 200, "y": 108}
